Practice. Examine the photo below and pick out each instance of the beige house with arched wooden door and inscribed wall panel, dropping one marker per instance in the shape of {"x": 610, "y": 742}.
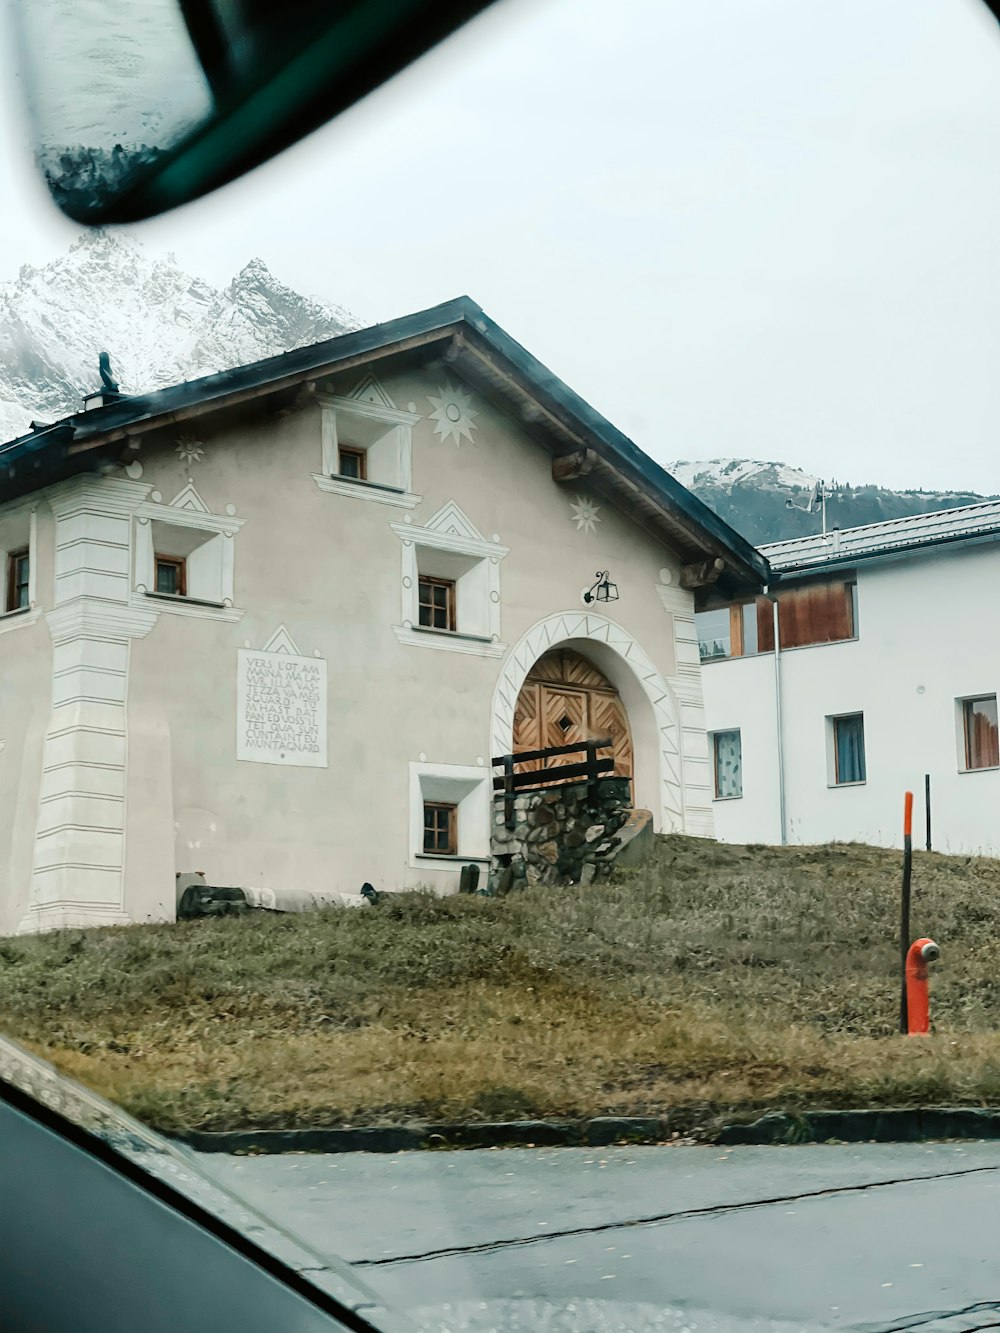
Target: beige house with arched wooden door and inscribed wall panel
{"x": 277, "y": 623}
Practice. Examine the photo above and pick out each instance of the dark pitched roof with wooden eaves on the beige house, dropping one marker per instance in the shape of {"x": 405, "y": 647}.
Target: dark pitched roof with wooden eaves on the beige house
{"x": 483, "y": 353}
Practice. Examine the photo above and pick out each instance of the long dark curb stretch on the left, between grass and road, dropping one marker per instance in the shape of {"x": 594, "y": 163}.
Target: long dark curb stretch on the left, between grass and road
{"x": 599, "y": 1132}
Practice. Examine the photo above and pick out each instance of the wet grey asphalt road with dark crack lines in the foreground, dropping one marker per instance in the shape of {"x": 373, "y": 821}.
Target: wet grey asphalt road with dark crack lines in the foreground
{"x": 866, "y": 1238}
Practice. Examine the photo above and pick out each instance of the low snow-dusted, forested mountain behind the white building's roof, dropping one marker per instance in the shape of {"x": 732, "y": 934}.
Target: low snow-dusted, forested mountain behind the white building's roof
{"x": 753, "y": 497}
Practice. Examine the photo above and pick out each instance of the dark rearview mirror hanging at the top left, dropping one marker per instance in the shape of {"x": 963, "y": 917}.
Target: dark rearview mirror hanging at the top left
{"x": 139, "y": 106}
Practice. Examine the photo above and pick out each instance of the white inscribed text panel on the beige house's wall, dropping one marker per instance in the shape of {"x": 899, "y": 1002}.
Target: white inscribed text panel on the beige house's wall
{"x": 282, "y": 710}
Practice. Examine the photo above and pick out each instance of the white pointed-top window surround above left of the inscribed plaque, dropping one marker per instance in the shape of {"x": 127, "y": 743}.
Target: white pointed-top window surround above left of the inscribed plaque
{"x": 187, "y": 511}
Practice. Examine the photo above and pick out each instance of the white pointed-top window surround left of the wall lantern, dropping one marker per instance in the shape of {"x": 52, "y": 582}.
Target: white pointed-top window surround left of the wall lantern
{"x": 467, "y": 553}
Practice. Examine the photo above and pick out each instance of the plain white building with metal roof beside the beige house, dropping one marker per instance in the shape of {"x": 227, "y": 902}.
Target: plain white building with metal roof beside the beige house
{"x": 889, "y": 670}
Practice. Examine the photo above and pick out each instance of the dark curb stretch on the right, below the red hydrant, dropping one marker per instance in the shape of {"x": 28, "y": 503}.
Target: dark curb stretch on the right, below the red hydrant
{"x": 890, "y": 1126}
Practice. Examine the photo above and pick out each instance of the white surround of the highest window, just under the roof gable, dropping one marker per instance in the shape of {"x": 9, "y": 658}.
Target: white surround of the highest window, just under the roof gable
{"x": 393, "y": 451}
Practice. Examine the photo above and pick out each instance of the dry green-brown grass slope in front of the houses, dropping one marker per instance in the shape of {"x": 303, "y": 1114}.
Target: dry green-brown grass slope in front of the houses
{"x": 719, "y": 979}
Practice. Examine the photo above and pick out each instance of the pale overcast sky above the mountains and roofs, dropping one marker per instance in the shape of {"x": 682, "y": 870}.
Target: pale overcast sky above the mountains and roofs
{"x": 754, "y": 229}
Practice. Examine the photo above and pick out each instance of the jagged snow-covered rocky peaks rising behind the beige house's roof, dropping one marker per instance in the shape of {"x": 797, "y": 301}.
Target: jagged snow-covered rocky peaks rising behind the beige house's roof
{"x": 161, "y": 326}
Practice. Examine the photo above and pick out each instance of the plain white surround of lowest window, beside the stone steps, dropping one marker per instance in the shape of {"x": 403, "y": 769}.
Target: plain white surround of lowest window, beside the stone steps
{"x": 466, "y": 787}
